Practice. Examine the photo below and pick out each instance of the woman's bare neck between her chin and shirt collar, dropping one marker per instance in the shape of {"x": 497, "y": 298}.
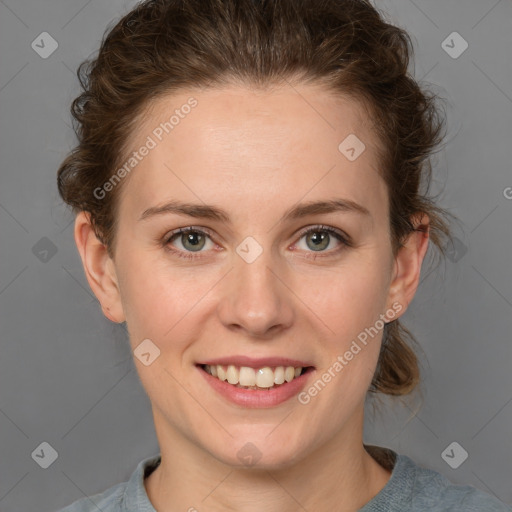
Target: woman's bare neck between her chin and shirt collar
{"x": 340, "y": 475}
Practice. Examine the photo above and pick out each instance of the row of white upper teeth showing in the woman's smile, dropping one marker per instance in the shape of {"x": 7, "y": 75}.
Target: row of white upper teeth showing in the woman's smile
{"x": 265, "y": 377}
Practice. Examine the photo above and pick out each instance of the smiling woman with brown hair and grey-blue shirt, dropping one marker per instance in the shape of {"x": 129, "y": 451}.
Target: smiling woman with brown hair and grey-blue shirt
{"x": 247, "y": 190}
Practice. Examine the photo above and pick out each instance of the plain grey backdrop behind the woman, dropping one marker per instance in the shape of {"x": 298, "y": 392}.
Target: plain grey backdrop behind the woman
{"x": 66, "y": 374}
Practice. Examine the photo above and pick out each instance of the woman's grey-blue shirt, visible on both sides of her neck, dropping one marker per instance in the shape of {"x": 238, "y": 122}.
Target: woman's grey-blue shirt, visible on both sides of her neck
{"x": 411, "y": 488}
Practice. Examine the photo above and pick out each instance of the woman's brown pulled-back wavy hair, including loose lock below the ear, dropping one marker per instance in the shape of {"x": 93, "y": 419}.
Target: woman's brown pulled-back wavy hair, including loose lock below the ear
{"x": 165, "y": 45}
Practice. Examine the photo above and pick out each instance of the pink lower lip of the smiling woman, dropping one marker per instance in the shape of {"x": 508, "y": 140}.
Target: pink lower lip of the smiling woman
{"x": 254, "y": 398}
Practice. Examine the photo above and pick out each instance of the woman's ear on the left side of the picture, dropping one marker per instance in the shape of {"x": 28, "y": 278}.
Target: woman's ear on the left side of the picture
{"x": 99, "y": 268}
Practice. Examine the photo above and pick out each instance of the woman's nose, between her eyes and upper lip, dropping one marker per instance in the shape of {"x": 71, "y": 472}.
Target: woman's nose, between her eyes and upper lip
{"x": 255, "y": 298}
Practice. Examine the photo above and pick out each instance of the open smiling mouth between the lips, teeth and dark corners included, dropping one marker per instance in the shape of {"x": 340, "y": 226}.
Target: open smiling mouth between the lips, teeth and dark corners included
{"x": 264, "y": 377}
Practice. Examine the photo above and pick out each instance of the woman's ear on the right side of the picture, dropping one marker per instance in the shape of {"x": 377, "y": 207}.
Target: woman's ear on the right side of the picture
{"x": 407, "y": 264}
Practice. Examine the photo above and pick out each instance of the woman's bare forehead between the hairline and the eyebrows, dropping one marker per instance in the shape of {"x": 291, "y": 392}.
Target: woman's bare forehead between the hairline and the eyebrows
{"x": 260, "y": 146}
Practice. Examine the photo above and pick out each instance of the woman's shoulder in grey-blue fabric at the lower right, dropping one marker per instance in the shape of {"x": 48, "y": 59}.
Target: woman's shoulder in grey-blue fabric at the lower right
{"x": 433, "y": 491}
